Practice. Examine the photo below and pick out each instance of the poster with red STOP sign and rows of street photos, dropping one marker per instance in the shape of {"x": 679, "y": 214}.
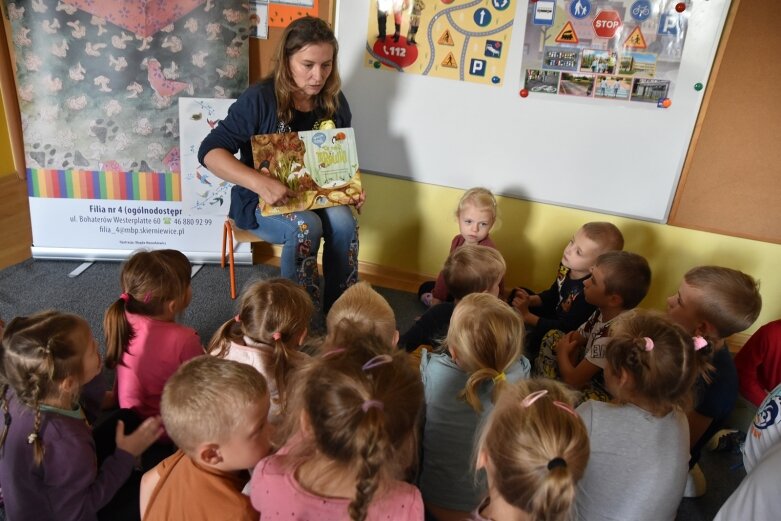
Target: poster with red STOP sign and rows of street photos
{"x": 619, "y": 50}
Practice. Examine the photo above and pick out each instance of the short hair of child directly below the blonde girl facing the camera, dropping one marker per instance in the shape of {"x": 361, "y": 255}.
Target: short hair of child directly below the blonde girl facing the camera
{"x": 473, "y": 269}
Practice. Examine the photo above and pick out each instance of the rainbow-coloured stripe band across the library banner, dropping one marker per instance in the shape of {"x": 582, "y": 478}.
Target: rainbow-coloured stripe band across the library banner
{"x": 98, "y": 184}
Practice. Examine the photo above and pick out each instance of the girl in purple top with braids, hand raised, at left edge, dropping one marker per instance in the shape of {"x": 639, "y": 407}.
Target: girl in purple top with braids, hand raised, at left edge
{"x": 48, "y": 464}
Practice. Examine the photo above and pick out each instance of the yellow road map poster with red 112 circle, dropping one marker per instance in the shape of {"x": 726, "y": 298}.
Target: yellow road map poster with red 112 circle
{"x": 464, "y": 40}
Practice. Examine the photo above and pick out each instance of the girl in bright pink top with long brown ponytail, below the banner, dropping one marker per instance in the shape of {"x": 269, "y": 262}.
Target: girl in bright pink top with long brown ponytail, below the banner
{"x": 143, "y": 341}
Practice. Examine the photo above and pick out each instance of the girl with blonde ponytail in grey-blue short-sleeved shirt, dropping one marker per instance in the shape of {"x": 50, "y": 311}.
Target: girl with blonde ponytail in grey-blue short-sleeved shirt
{"x": 484, "y": 344}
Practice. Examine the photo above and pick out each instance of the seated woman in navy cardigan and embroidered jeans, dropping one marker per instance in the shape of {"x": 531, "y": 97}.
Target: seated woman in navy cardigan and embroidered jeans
{"x": 302, "y": 93}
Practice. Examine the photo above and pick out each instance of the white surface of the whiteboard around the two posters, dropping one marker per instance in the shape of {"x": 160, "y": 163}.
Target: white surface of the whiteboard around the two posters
{"x": 620, "y": 159}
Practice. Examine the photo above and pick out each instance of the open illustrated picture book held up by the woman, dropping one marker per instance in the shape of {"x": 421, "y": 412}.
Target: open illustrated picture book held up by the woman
{"x": 321, "y": 166}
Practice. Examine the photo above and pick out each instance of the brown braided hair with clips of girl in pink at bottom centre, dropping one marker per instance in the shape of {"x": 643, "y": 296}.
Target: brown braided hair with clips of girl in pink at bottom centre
{"x": 362, "y": 405}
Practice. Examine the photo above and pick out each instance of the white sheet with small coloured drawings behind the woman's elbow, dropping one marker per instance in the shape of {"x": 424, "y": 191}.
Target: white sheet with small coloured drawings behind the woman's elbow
{"x": 203, "y": 193}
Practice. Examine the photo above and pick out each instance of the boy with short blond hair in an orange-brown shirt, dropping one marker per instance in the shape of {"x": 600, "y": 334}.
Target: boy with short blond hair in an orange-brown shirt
{"x": 216, "y": 412}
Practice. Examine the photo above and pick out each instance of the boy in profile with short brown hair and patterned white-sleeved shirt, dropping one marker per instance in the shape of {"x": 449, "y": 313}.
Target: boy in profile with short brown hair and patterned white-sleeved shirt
{"x": 619, "y": 282}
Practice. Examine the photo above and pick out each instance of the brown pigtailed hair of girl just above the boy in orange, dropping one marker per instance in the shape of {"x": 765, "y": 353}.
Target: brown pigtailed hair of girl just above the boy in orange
{"x": 273, "y": 313}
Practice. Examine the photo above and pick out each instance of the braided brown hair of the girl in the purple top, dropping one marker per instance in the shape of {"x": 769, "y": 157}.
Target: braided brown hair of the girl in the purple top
{"x": 38, "y": 352}
